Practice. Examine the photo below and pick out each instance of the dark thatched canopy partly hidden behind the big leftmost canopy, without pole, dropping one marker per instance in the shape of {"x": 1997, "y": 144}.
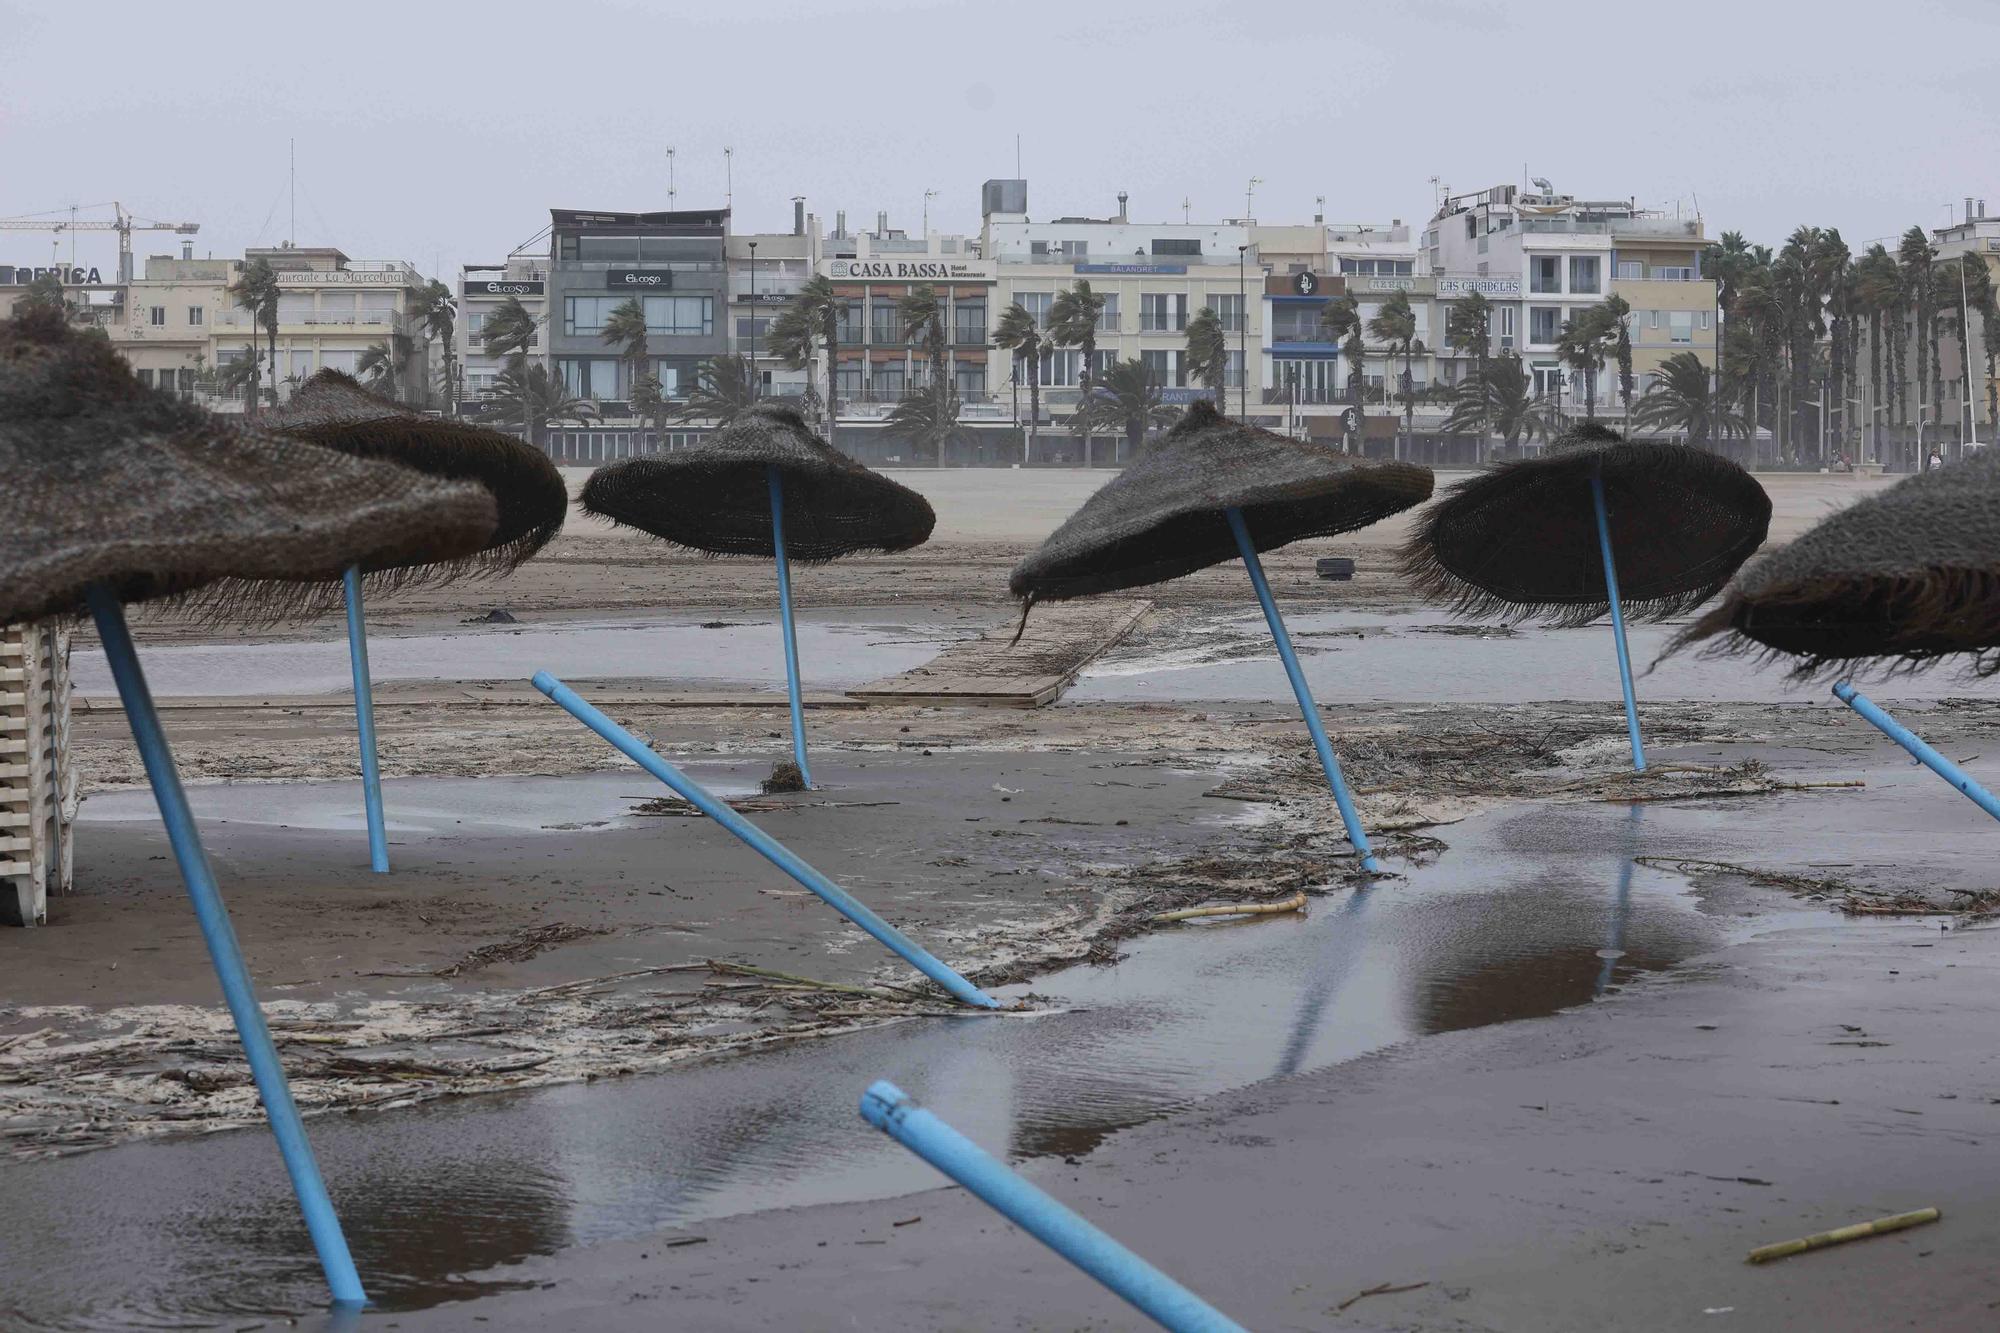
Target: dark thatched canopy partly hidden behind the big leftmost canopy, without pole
{"x": 335, "y": 411}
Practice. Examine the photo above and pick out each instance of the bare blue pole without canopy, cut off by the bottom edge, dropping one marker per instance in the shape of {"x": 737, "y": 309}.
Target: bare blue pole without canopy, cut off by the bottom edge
{"x": 1153, "y": 1292}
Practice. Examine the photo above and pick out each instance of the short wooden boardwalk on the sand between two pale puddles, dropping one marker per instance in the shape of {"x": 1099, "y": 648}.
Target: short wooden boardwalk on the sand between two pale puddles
{"x": 1061, "y": 641}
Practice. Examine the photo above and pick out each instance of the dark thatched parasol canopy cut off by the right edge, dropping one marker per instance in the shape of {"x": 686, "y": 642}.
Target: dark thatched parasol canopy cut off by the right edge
{"x": 1911, "y": 573}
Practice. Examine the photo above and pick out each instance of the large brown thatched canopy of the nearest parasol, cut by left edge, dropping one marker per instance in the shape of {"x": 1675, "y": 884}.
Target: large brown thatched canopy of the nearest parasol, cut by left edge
{"x": 107, "y": 481}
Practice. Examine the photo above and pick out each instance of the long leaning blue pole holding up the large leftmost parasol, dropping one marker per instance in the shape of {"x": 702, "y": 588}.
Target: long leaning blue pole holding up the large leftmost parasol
{"x": 223, "y": 950}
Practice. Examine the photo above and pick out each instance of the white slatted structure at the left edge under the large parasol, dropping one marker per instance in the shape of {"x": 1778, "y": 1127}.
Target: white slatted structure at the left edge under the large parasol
{"x": 37, "y": 778}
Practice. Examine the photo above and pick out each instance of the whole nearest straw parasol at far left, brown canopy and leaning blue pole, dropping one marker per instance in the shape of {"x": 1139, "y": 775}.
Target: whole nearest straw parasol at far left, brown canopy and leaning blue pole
{"x": 117, "y": 493}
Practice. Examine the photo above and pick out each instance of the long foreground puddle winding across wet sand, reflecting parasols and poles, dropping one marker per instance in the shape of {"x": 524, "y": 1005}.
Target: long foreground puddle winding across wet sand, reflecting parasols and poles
{"x": 1517, "y": 920}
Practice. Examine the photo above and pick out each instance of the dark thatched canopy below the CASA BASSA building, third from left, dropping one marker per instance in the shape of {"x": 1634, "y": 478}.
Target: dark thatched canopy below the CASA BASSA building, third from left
{"x": 717, "y": 497}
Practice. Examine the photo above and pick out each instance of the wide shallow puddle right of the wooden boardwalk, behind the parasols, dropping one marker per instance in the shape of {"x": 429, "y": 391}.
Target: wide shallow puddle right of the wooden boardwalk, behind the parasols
{"x": 1361, "y": 657}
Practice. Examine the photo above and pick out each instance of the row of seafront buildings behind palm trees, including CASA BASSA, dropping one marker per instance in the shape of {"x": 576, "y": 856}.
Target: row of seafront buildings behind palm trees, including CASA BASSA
{"x": 1533, "y": 253}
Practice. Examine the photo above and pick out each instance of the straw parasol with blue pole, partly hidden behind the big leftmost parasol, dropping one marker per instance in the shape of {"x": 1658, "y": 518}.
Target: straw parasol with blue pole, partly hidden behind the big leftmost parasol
{"x": 531, "y": 503}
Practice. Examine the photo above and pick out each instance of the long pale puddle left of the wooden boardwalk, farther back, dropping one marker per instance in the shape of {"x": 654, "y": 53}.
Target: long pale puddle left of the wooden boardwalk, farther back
{"x": 835, "y": 653}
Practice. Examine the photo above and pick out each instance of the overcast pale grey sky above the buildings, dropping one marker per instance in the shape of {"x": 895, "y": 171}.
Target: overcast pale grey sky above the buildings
{"x": 443, "y": 133}
